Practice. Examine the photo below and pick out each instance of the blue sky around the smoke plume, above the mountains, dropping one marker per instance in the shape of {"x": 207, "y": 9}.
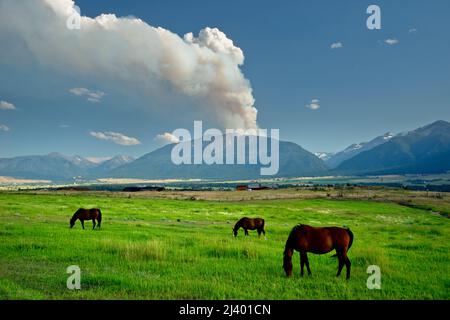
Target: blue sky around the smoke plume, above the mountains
{"x": 365, "y": 88}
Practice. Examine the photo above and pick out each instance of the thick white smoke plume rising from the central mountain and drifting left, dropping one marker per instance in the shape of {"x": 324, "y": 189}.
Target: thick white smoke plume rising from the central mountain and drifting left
{"x": 205, "y": 68}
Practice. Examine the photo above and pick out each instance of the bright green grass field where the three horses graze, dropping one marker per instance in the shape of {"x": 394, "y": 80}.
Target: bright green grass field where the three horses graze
{"x": 182, "y": 249}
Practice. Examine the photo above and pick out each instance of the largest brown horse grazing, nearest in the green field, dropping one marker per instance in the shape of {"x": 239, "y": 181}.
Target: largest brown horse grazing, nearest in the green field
{"x": 305, "y": 239}
